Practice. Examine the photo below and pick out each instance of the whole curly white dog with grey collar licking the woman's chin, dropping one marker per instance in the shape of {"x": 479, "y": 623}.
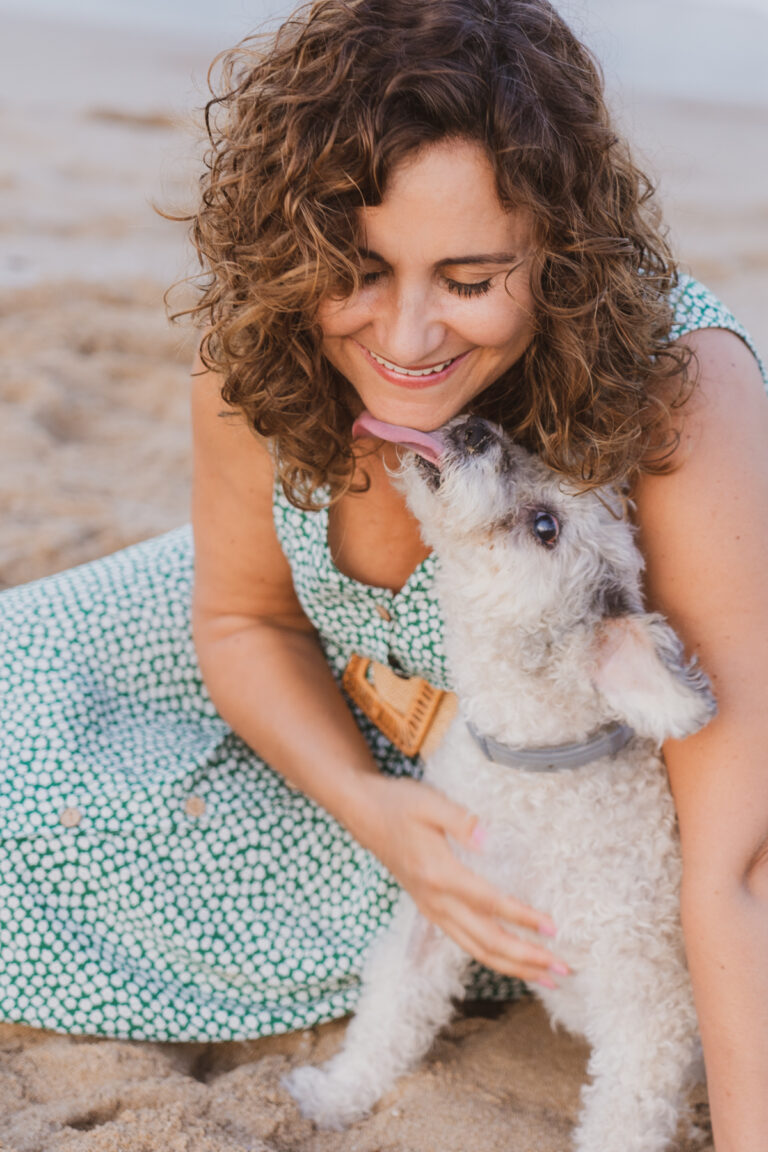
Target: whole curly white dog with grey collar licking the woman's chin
{"x": 556, "y": 663}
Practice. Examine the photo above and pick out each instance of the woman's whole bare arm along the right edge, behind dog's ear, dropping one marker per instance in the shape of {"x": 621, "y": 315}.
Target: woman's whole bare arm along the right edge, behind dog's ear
{"x": 705, "y": 534}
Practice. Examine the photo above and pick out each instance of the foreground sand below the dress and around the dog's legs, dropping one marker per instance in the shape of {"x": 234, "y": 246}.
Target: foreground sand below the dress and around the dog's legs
{"x": 488, "y": 1086}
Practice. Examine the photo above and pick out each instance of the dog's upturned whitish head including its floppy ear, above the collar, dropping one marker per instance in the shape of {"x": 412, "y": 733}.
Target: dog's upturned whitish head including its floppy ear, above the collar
{"x": 539, "y": 560}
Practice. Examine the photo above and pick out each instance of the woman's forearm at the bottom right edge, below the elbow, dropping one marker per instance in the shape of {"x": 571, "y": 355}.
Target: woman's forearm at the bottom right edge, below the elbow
{"x": 727, "y": 942}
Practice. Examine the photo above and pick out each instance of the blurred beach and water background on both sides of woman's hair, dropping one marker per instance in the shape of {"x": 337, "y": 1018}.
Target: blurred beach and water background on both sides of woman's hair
{"x": 100, "y": 119}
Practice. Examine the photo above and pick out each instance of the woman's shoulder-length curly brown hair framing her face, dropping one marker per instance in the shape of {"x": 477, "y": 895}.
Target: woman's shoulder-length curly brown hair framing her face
{"x": 307, "y": 130}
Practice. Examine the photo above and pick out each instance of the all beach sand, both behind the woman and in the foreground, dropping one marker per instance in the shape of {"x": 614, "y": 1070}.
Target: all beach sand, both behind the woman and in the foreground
{"x": 95, "y": 456}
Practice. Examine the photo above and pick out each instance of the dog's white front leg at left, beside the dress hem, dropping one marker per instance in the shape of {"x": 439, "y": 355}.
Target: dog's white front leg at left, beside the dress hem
{"x": 409, "y": 981}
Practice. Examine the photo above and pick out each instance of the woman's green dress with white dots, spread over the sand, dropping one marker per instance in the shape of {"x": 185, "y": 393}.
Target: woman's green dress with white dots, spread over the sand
{"x": 159, "y": 881}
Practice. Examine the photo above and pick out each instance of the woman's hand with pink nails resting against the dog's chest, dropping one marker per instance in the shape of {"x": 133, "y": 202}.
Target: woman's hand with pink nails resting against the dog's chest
{"x": 409, "y": 827}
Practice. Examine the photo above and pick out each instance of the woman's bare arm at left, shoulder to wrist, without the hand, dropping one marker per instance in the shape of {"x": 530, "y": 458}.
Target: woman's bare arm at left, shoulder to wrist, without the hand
{"x": 258, "y": 653}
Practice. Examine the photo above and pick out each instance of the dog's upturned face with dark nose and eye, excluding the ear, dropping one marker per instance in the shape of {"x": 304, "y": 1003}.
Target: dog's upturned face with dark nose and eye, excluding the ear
{"x": 565, "y": 554}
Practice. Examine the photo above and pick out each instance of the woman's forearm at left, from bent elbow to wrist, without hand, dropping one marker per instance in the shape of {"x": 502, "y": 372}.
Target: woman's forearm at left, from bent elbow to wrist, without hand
{"x": 275, "y": 688}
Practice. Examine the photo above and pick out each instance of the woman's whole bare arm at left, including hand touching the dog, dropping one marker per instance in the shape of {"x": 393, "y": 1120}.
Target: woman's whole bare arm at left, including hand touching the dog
{"x": 268, "y": 677}
